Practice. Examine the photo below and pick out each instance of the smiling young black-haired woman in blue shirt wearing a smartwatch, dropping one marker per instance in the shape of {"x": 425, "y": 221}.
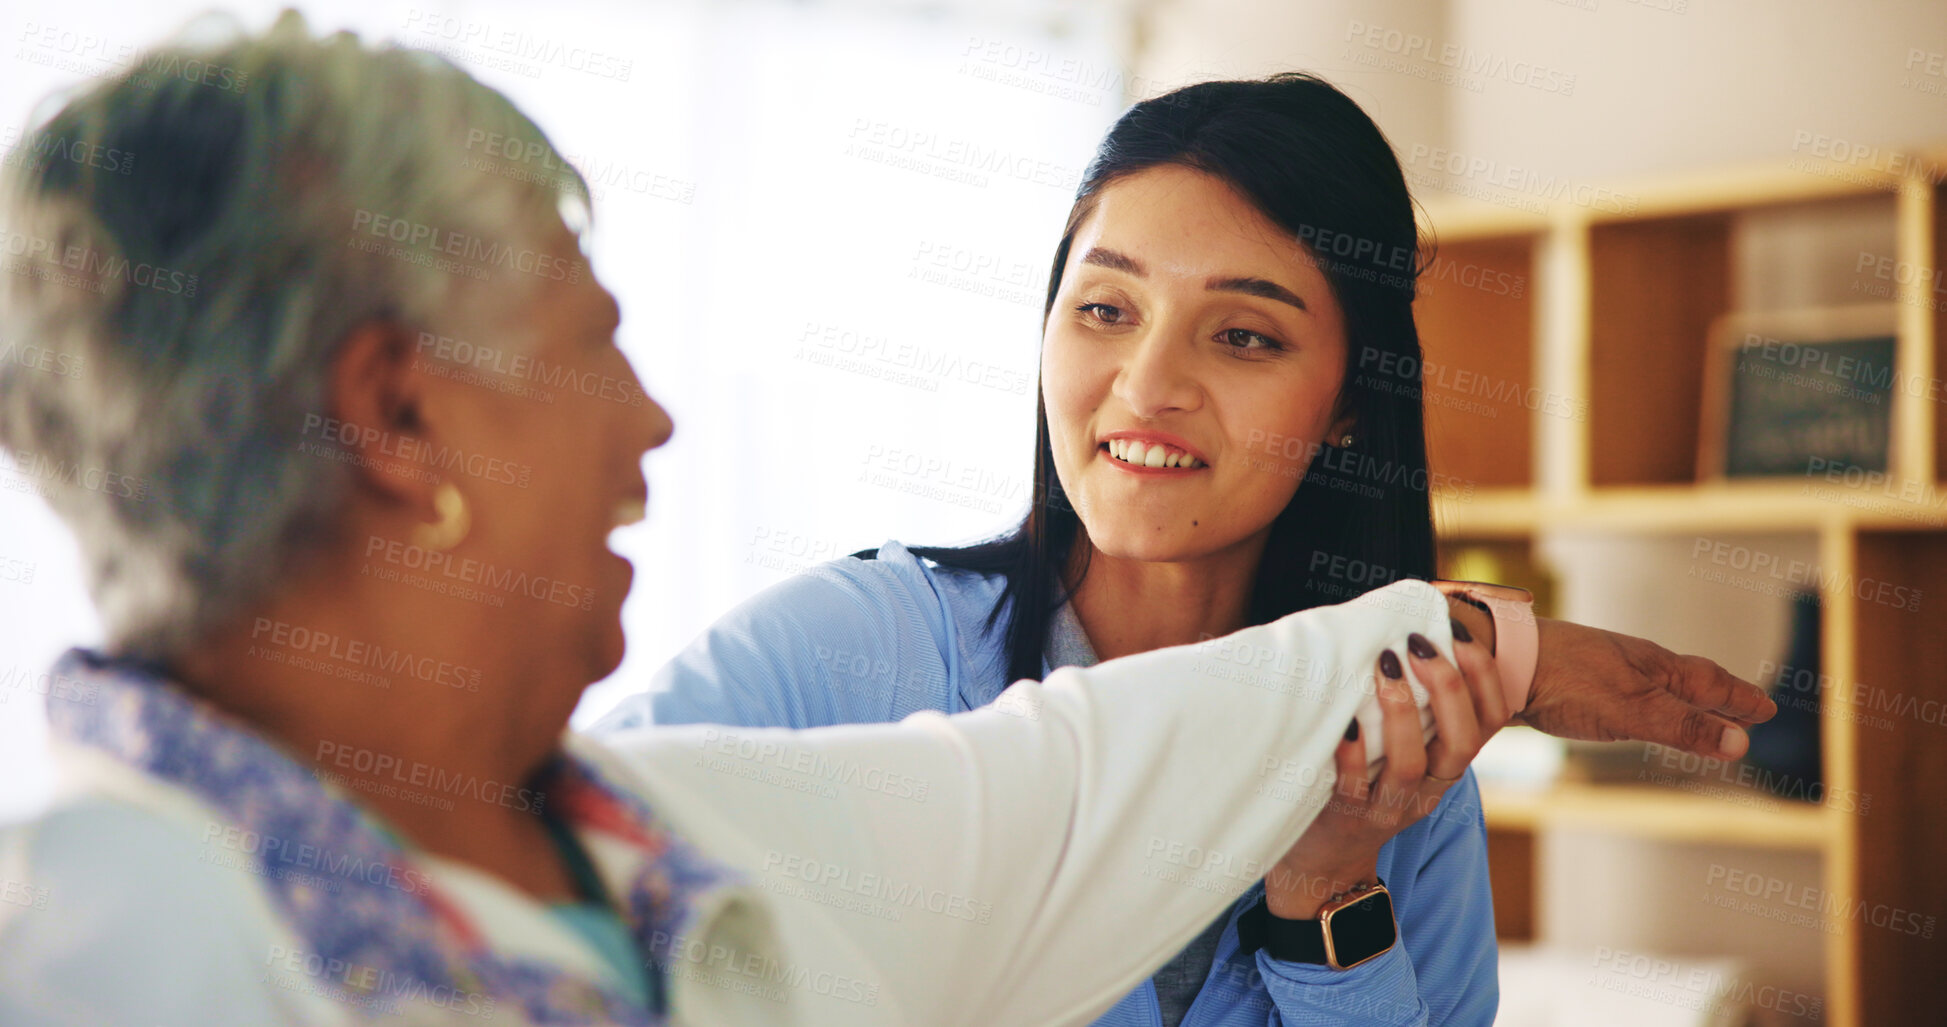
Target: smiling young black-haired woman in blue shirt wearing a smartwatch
{"x": 1212, "y": 434}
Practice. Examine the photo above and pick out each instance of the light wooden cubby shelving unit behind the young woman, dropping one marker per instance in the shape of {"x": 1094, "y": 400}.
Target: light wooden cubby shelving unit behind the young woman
{"x": 1603, "y": 344}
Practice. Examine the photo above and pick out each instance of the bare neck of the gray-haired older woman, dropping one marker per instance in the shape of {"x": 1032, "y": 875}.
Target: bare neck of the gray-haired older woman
{"x": 420, "y": 712}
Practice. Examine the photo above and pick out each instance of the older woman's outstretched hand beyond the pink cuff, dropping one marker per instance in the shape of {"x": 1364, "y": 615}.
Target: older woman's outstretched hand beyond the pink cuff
{"x": 1603, "y": 687}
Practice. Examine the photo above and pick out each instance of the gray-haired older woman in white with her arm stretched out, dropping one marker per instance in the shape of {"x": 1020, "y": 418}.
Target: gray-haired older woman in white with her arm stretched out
{"x": 320, "y": 769}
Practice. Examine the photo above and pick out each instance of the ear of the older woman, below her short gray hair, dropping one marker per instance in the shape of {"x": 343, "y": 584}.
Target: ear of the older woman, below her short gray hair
{"x": 379, "y": 408}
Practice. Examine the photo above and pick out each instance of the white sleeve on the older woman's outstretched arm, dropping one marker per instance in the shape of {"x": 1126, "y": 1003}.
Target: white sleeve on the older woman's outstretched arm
{"x": 1033, "y": 860}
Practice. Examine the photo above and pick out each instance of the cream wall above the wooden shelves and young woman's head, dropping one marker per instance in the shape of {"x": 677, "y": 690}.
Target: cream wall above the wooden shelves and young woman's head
{"x": 1592, "y": 91}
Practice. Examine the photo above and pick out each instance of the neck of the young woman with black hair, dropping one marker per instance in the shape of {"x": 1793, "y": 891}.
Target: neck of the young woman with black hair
{"x": 1138, "y": 605}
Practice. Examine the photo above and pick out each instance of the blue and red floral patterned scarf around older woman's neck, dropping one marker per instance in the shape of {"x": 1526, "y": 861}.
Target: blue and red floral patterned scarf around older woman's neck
{"x": 369, "y": 915}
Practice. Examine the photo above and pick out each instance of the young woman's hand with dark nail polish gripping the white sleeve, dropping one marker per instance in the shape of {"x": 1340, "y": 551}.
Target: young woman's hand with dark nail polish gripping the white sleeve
{"x": 1341, "y": 849}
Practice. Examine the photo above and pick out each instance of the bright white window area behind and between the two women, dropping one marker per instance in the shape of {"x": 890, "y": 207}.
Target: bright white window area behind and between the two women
{"x": 828, "y": 227}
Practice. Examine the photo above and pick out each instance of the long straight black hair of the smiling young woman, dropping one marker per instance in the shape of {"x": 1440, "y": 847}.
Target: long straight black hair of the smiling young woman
{"x": 1315, "y": 165}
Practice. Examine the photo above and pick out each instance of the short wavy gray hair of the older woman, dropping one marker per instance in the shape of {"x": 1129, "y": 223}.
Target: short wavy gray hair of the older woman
{"x": 182, "y": 247}
